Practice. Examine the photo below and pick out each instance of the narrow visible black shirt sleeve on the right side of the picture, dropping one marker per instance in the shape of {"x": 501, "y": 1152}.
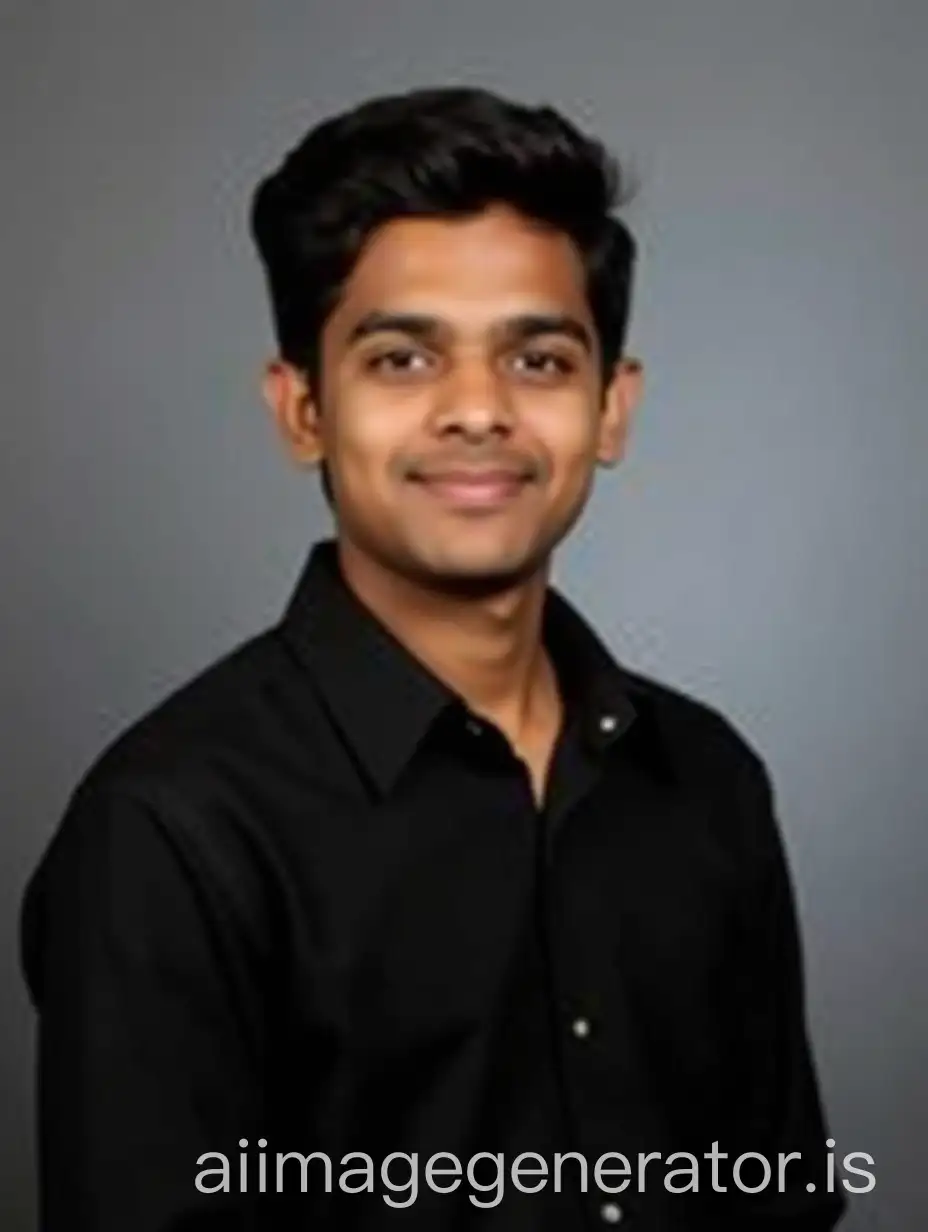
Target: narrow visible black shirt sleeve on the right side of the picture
{"x": 782, "y": 1109}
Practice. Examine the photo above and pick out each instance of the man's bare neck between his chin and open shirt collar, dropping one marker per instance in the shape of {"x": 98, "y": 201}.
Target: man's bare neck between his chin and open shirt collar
{"x": 489, "y": 650}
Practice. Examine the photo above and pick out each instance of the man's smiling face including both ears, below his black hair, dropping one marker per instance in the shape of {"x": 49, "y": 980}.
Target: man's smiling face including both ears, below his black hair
{"x": 463, "y": 410}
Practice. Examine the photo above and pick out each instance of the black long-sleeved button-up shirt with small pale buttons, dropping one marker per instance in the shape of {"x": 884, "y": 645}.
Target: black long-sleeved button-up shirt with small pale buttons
{"x": 309, "y": 905}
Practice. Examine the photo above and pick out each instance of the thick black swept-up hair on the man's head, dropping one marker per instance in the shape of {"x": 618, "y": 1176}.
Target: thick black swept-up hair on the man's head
{"x": 441, "y": 152}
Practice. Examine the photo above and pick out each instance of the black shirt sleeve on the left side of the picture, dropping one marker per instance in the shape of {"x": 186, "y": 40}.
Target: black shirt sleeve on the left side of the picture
{"x": 150, "y": 1052}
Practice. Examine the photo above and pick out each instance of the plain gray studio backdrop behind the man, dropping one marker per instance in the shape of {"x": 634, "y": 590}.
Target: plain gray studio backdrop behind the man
{"x": 763, "y": 548}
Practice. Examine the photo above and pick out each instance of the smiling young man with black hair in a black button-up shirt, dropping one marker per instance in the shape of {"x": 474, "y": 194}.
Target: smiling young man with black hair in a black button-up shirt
{"x": 421, "y": 881}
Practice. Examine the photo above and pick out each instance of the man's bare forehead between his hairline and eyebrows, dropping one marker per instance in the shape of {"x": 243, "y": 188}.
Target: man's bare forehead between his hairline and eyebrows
{"x": 474, "y": 269}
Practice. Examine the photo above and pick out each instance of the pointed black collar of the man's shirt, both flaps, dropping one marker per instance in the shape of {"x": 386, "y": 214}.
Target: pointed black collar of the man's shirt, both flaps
{"x": 385, "y": 700}
